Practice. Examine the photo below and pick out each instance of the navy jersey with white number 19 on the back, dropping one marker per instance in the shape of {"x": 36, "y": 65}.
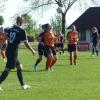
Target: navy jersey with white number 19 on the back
{"x": 15, "y": 36}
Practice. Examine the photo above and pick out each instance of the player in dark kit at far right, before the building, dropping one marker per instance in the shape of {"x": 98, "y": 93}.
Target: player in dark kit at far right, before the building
{"x": 94, "y": 40}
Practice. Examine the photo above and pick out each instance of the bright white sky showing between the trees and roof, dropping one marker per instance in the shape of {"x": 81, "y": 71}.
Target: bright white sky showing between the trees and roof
{"x": 12, "y": 6}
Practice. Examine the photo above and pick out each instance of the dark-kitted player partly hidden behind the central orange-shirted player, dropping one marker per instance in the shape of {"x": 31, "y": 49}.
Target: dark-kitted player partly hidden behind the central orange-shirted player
{"x": 41, "y": 48}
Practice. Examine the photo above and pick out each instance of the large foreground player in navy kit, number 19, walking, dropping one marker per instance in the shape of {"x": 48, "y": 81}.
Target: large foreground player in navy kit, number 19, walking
{"x": 15, "y": 35}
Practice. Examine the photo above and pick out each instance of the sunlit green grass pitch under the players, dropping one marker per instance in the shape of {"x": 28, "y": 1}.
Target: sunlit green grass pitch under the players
{"x": 66, "y": 82}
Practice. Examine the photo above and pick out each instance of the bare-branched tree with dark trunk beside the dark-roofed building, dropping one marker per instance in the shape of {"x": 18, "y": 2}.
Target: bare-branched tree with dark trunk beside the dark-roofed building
{"x": 64, "y": 6}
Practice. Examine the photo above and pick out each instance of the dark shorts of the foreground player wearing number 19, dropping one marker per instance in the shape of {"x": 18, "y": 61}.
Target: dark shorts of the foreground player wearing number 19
{"x": 12, "y": 60}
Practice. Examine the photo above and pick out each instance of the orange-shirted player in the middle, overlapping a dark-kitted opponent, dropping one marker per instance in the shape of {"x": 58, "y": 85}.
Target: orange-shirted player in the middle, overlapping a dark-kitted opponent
{"x": 50, "y": 40}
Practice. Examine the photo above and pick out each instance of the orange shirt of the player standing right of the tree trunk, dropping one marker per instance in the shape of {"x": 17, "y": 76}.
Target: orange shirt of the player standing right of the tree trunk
{"x": 72, "y": 37}
